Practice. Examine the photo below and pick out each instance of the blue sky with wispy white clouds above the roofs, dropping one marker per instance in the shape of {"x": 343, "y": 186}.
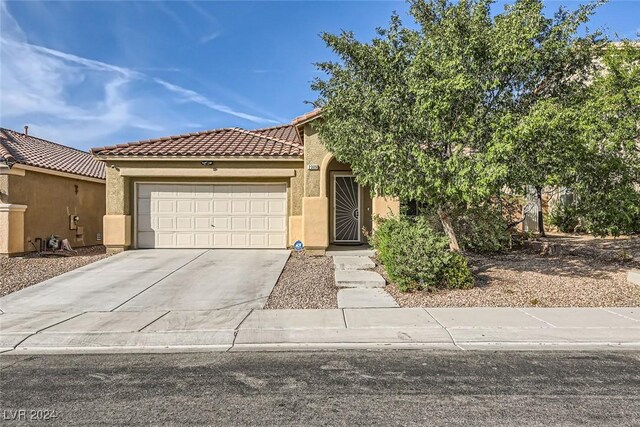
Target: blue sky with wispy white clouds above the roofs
{"x": 87, "y": 74}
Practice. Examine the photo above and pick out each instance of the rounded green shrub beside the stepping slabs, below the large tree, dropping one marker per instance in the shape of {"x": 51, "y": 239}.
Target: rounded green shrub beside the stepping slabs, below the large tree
{"x": 417, "y": 257}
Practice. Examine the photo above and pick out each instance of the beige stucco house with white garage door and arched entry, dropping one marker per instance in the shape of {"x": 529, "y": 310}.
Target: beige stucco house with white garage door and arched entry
{"x": 234, "y": 188}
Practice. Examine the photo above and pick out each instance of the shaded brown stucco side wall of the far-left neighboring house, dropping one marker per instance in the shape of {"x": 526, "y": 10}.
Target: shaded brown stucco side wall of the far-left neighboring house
{"x": 51, "y": 199}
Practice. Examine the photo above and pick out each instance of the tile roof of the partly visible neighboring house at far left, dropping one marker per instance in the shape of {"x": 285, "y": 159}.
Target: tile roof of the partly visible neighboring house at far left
{"x": 16, "y": 147}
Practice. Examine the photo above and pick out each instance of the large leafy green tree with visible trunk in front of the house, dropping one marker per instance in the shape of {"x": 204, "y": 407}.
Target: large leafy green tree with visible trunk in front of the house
{"x": 427, "y": 112}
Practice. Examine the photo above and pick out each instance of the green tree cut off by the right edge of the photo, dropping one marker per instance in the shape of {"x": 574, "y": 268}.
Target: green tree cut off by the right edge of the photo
{"x": 606, "y": 178}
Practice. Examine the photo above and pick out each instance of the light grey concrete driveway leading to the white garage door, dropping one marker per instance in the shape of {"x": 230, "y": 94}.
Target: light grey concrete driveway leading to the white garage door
{"x": 161, "y": 279}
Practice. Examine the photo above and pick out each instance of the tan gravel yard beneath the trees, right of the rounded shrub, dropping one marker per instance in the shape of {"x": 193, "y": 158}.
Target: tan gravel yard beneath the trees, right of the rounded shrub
{"x": 587, "y": 273}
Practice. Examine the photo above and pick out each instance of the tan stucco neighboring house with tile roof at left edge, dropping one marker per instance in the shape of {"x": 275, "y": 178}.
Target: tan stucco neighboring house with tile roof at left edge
{"x": 47, "y": 189}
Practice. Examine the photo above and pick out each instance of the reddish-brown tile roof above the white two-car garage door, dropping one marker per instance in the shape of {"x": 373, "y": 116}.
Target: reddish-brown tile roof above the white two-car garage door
{"x": 274, "y": 141}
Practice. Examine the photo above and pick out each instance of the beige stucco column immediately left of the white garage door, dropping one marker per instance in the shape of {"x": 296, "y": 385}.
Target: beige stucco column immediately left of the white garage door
{"x": 117, "y": 221}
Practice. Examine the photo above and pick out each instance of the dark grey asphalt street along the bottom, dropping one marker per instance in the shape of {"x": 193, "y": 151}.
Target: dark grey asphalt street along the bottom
{"x": 324, "y": 388}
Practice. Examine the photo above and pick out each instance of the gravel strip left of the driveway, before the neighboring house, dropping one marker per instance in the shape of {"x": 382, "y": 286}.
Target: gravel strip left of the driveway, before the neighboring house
{"x": 20, "y": 272}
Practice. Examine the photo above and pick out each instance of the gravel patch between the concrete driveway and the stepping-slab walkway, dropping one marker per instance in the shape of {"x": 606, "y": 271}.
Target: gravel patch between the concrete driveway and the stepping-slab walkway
{"x": 307, "y": 282}
